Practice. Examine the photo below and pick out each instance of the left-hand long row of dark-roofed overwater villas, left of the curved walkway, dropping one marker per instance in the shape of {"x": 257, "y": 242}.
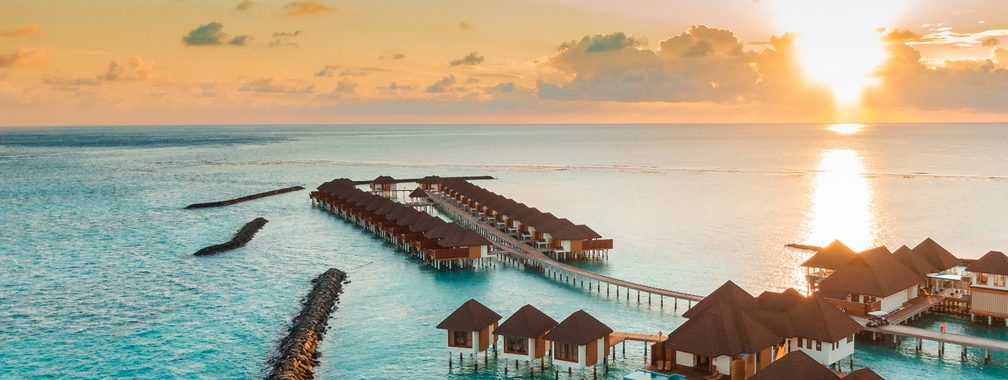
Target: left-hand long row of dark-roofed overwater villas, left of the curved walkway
{"x": 432, "y": 238}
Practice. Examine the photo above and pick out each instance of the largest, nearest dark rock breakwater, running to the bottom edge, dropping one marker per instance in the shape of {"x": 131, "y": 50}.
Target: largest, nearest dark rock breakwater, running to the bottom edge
{"x": 297, "y": 355}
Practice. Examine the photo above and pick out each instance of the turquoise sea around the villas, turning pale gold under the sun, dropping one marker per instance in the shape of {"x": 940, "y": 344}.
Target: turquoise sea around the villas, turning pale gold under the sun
{"x": 97, "y": 278}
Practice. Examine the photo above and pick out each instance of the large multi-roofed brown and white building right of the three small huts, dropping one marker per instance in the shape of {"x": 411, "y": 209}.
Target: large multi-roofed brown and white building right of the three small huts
{"x": 732, "y": 334}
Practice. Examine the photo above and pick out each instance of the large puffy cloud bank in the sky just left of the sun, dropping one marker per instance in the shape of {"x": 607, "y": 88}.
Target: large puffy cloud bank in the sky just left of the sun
{"x": 702, "y": 65}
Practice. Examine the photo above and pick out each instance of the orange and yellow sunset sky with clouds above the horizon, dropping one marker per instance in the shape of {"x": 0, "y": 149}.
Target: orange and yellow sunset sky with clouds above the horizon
{"x": 327, "y": 62}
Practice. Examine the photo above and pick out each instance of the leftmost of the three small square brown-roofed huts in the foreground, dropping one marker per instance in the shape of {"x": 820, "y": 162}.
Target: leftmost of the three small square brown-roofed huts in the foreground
{"x": 471, "y": 329}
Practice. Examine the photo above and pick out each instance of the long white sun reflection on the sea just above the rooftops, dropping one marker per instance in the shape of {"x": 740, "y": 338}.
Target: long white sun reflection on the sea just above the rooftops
{"x": 842, "y": 202}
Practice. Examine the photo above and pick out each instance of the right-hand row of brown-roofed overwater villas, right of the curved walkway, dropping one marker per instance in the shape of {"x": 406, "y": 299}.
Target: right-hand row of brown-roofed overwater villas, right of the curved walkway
{"x": 557, "y": 236}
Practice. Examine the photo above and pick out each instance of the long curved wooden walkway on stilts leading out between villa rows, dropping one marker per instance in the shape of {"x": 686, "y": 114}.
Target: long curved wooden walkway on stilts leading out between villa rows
{"x": 518, "y": 250}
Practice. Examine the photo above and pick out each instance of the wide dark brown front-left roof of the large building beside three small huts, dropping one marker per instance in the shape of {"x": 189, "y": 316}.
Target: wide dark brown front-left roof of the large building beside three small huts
{"x": 722, "y": 330}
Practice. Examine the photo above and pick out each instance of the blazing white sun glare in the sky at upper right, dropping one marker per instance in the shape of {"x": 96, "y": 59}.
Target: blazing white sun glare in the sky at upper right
{"x": 839, "y": 43}
